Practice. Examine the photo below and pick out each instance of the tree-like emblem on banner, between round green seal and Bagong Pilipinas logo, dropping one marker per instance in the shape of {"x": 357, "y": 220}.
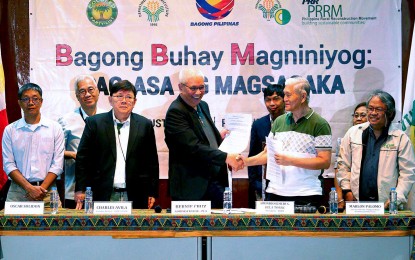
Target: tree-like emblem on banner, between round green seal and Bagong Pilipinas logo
{"x": 153, "y": 9}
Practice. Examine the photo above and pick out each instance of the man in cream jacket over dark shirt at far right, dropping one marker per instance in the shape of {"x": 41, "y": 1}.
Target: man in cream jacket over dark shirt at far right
{"x": 375, "y": 156}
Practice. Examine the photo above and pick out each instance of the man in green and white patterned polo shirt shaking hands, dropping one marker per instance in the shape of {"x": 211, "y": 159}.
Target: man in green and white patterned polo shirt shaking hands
{"x": 306, "y": 148}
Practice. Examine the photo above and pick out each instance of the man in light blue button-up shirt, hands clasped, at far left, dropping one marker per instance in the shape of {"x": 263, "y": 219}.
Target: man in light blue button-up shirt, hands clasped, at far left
{"x": 33, "y": 148}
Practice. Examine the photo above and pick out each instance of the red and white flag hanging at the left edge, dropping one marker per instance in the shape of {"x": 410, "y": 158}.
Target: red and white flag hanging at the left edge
{"x": 3, "y": 119}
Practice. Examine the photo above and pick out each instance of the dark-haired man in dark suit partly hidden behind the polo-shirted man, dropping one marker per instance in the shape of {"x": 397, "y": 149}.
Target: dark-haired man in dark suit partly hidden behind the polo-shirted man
{"x": 274, "y": 101}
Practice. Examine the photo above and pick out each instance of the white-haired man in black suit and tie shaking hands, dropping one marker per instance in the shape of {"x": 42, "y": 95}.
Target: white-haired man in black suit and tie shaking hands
{"x": 197, "y": 168}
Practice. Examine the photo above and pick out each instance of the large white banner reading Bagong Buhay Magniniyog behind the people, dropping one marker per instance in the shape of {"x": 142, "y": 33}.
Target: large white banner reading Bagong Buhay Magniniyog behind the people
{"x": 345, "y": 48}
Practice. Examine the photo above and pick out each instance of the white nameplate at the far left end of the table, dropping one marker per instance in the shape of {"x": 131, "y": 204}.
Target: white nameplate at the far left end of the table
{"x": 24, "y": 208}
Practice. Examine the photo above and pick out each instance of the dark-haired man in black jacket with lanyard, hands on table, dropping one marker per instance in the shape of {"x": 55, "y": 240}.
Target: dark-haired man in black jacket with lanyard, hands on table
{"x": 117, "y": 155}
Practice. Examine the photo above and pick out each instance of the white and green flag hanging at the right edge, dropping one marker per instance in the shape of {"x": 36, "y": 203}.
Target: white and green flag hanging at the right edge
{"x": 408, "y": 113}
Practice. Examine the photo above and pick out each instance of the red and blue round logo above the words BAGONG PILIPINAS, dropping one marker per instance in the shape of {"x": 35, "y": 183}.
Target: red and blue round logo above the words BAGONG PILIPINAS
{"x": 214, "y": 9}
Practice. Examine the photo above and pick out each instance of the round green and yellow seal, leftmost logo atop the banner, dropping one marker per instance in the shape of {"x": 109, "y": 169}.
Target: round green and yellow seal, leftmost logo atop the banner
{"x": 101, "y": 13}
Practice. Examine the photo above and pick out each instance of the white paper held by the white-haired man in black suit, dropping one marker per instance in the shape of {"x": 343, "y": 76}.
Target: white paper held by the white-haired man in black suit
{"x": 239, "y": 126}
